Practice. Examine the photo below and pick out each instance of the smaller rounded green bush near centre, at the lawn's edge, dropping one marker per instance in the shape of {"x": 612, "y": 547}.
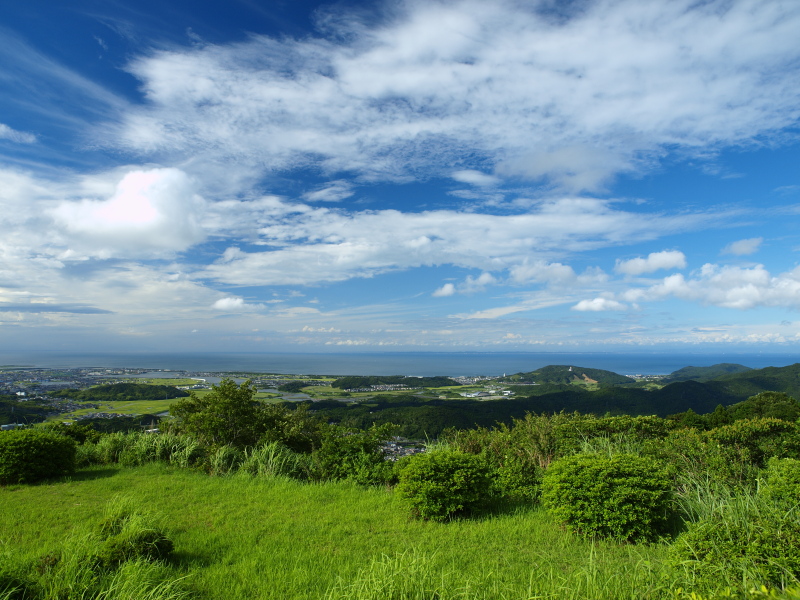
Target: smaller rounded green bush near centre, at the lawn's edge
{"x": 445, "y": 483}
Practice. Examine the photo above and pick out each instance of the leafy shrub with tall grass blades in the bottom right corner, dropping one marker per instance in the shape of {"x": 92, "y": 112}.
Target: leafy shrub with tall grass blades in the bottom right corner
{"x": 749, "y": 539}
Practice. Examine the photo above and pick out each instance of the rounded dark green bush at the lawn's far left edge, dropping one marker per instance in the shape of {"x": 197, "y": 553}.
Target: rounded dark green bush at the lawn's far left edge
{"x": 30, "y": 455}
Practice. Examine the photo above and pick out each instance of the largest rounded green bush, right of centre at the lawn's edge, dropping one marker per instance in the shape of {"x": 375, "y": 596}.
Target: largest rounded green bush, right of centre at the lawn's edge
{"x": 625, "y": 497}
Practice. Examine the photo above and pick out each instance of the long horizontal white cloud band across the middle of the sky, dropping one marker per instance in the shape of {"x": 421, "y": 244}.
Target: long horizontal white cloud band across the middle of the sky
{"x": 311, "y": 245}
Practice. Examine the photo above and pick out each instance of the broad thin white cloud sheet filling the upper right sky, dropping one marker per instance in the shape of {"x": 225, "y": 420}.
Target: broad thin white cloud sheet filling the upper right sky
{"x": 438, "y": 81}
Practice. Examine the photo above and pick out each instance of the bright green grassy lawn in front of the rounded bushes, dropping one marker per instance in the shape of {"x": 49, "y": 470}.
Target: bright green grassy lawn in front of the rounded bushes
{"x": 238, "y": 537}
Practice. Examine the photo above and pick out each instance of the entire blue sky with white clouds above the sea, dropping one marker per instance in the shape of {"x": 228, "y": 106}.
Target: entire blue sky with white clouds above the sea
{"x": 459, "y": 175}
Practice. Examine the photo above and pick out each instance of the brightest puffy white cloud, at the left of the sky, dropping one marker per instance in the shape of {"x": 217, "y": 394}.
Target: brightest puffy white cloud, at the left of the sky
{"x": 150, "y": 212}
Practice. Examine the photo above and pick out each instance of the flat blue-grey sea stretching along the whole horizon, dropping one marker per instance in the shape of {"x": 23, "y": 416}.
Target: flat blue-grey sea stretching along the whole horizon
{"x": 399, "y": 363}
